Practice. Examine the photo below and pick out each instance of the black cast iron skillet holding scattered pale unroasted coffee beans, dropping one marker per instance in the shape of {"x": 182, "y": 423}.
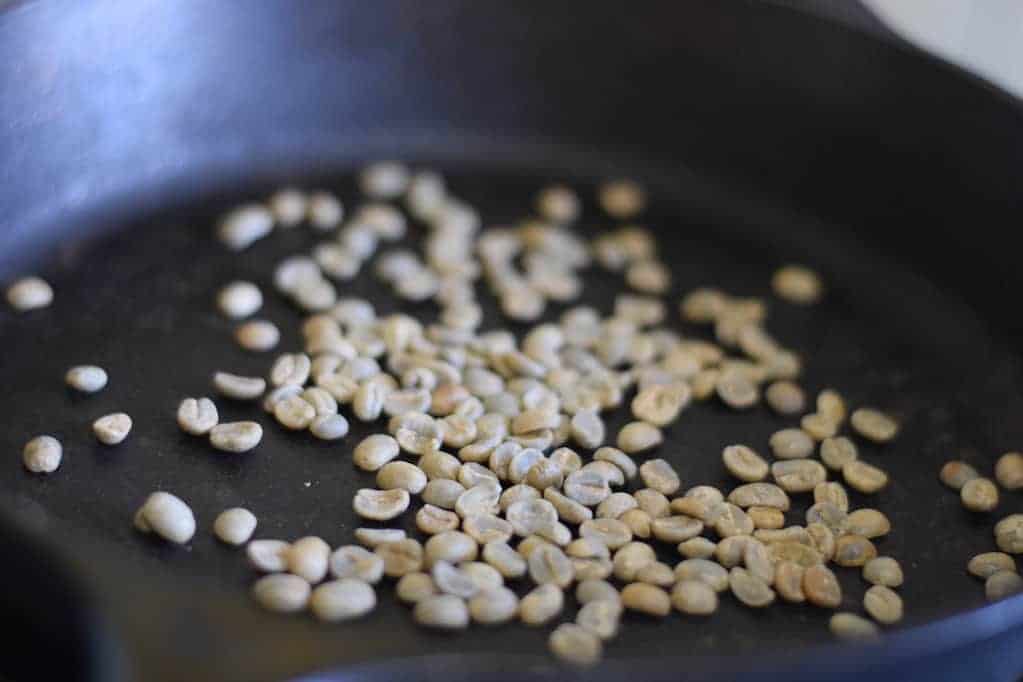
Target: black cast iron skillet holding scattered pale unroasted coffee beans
{"x": 766, "y": 135}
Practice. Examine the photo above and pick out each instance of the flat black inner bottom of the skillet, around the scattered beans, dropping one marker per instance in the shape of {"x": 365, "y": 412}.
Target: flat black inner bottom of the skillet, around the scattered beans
{"x": 140, "y": 303}
